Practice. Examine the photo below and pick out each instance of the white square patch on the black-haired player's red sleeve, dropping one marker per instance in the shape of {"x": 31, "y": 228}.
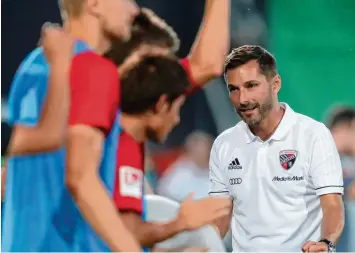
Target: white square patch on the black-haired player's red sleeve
{"x": 131, "y": 182}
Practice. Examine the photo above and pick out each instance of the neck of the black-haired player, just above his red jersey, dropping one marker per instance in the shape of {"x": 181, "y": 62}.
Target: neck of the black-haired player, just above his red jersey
{"x": 134, "y": 126}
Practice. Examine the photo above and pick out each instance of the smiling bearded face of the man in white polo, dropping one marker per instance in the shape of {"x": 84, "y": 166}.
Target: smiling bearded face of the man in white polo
{"x": 252, "y": 95}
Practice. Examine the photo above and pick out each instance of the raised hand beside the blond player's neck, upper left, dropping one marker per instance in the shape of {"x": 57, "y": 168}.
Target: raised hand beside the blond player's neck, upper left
{"x": 57, "y": 44}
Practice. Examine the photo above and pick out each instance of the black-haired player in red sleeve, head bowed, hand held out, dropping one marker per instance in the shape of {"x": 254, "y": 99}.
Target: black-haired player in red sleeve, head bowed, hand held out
{"x": 152, "y": 114}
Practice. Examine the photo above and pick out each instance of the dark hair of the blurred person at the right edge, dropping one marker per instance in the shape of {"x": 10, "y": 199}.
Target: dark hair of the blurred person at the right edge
{"x": 341, "y": 115}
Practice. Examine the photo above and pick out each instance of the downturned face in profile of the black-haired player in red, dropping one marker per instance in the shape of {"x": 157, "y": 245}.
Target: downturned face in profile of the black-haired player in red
{"x": 164, "y": 120}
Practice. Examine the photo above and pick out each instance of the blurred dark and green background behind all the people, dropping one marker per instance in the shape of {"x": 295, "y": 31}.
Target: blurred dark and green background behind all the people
{"x": 313, "y": 42}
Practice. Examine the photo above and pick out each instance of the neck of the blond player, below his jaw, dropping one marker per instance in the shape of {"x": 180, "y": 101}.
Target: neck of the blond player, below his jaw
{"x": 88, "y": 30}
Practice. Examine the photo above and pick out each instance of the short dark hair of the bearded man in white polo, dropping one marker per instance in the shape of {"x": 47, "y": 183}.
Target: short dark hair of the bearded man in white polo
{"x": 242, "y": 55}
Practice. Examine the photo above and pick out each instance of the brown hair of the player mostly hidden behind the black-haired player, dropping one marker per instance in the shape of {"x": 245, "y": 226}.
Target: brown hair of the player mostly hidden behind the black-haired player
{"x": 149, "y": 29}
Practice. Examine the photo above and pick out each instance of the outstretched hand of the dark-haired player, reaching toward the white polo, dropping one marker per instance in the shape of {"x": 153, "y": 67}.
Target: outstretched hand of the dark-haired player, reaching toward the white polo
{"x": 196, "y": 214}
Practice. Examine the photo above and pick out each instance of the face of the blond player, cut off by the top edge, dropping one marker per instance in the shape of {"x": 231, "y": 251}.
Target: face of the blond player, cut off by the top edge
{"x": 117, "y": 17}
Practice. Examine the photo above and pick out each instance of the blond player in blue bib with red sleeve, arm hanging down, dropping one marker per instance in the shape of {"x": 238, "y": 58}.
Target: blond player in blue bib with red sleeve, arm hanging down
{"x": 50, "y": 220}
